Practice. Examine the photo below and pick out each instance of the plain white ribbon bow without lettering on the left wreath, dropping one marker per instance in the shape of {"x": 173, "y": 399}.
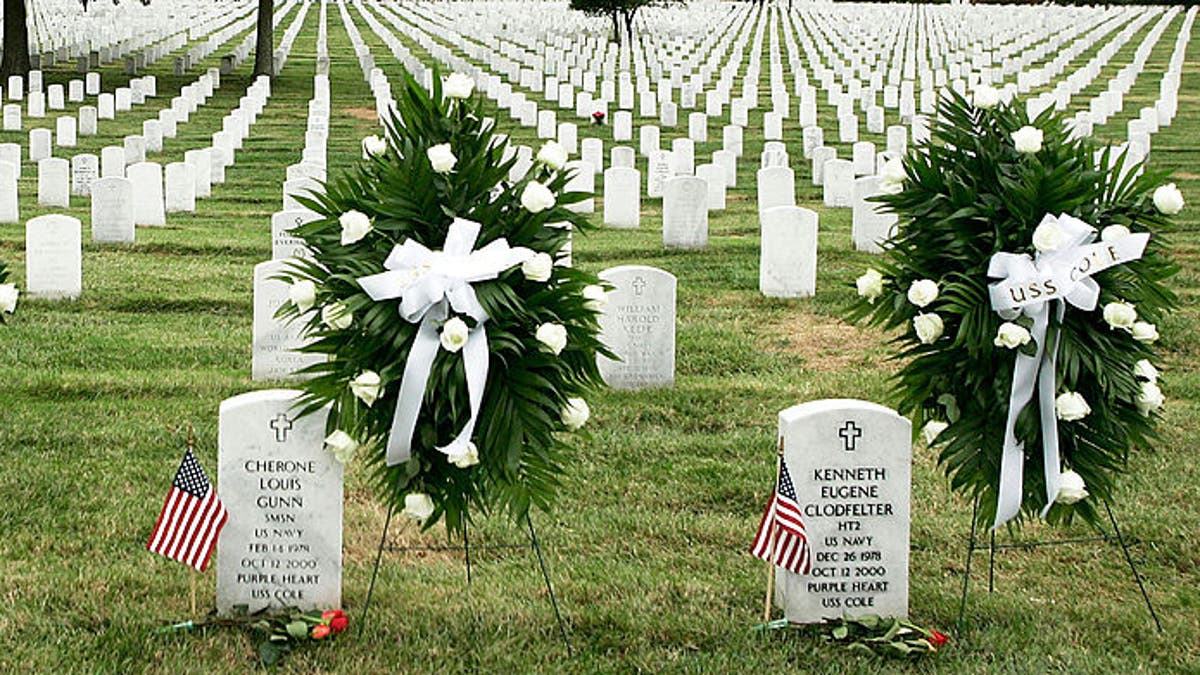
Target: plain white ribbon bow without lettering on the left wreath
{"x": 429, "y": 285}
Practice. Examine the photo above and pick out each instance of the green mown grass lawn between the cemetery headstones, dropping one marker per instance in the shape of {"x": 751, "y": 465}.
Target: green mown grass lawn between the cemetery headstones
{"x": 649, "y": 545}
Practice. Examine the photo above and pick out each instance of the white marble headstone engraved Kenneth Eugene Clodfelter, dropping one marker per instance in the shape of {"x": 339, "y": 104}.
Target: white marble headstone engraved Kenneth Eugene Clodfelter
{"x": 848, "y": 465}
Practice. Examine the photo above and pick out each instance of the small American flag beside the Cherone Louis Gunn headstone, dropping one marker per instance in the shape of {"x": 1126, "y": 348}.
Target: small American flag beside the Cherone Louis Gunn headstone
{"x": 191, "y": 518}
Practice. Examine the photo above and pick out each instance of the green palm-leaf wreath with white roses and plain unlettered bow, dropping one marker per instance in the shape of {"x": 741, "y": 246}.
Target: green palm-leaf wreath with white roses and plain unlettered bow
{"x": 459, "y": 351}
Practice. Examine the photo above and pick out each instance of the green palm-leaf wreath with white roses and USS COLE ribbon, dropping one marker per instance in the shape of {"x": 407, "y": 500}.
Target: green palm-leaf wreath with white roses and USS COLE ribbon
{"x": 1027, "y": 282}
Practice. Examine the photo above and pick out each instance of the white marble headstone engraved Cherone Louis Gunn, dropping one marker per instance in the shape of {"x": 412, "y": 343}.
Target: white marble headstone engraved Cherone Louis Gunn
{"x": 283, "y": 546}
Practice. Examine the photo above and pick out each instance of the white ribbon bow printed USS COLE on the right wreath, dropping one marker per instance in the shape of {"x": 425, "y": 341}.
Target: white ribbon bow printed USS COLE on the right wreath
{"x": 1035, "y": 286}
